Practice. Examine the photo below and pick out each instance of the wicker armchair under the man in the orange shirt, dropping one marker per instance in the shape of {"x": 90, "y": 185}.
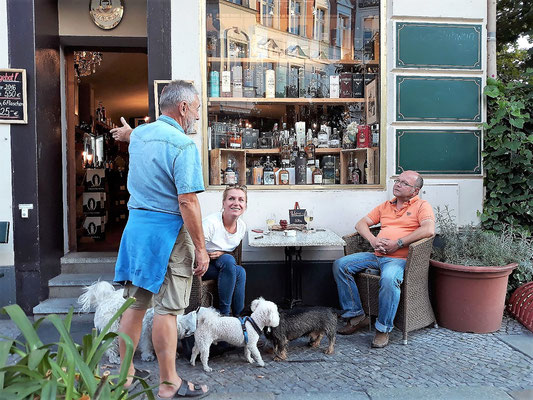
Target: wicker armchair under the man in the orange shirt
{"x": 414, "y": 311}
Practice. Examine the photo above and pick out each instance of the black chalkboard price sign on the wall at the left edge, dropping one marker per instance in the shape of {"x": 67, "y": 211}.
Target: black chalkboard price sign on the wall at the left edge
{"x": 13, "y": 100}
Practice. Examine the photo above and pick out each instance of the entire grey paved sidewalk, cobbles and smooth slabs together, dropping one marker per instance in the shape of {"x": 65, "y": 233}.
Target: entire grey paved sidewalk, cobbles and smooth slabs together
{"x": 436, "y": 364}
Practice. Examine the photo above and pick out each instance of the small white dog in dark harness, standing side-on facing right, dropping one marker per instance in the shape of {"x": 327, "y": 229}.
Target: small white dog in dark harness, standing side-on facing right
{"x": 213, "y": 328}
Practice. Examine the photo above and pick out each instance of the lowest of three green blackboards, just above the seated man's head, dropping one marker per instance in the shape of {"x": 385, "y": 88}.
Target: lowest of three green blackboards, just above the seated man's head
{"x": 438, "y": 151}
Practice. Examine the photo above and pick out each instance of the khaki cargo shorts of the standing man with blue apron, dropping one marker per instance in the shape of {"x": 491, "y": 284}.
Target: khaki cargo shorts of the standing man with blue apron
{"x": 173, "y": 296}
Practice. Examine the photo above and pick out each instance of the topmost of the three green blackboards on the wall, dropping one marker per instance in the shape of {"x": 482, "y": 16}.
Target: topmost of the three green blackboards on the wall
{"x": 422, "y": 45}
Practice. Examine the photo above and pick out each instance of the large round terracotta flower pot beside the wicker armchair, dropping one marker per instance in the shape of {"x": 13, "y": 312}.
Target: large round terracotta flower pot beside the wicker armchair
{"x": 470, "y": 299}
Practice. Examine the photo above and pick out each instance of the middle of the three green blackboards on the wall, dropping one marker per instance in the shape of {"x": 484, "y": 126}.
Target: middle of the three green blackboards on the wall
{"x": 438, "y": 99}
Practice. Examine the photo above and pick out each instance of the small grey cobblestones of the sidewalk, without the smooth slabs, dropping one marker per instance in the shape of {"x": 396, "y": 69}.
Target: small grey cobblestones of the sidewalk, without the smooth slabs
{"x": 432, "y": 358}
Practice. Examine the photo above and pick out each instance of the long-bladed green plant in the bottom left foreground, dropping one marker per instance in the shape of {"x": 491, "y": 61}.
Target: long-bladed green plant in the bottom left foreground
{"x": 70, "y": 372}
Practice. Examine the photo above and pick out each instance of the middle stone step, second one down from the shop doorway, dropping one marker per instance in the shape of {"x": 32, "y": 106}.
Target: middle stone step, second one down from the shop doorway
{"x": 71, "y": 285}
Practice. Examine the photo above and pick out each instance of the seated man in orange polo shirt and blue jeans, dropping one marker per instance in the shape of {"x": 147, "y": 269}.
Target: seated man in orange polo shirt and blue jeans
{"x": 404, "y": 220}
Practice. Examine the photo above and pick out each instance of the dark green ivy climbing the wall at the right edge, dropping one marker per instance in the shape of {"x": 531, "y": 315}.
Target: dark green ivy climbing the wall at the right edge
{"x": 508, "y": 154}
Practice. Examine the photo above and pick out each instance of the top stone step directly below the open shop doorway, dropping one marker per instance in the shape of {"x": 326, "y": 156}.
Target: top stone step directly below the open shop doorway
{"x": 88, "y": 262}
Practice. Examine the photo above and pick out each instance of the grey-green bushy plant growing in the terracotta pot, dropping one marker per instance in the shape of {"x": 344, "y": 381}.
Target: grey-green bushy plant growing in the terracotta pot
{"x": 475, "y": 246}
